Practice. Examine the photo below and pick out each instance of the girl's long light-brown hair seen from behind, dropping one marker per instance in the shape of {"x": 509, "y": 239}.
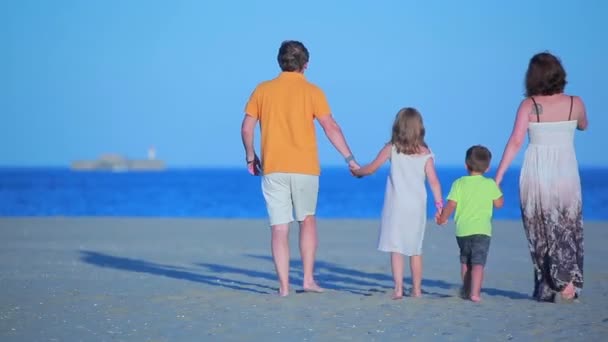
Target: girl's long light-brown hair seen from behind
{"x": 408, "y": 132}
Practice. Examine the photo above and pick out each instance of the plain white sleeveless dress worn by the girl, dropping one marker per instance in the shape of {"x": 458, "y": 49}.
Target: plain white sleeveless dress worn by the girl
{"x": 404, "y": 213}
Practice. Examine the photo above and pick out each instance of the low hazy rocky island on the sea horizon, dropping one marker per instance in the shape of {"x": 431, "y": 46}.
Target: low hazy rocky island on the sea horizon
{"x": 118, "y": 163}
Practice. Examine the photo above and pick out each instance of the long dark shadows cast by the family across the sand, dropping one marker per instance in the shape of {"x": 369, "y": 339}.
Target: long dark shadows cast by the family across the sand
{"x": 331, "y": 276}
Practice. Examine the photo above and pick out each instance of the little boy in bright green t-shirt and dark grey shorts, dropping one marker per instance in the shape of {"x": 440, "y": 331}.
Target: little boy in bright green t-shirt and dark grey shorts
{"x": 473, "y": 197}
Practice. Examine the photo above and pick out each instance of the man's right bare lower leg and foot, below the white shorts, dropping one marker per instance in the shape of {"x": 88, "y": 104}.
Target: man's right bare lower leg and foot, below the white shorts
{"x": 308, "y": 249}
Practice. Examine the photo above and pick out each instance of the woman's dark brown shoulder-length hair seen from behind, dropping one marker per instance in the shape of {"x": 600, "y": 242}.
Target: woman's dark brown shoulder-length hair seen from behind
{"x": 545, "y": 75}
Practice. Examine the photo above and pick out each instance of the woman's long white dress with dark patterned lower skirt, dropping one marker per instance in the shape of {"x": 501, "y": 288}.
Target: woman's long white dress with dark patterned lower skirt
{"x": 551, "y": 205}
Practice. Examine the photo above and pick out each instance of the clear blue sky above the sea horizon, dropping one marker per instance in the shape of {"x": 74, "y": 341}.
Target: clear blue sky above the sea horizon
{"x": 82, "y": 78}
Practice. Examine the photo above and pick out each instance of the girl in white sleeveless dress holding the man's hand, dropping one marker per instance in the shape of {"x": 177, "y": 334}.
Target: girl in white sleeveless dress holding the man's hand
{"x": 404, "y": 212}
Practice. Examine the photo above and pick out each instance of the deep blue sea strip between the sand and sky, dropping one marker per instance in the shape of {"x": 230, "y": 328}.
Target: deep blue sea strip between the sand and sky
{"x": 227, "y": 193}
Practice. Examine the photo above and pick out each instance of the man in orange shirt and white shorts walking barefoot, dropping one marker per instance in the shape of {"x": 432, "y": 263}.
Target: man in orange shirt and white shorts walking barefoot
{"x": 286, "y": 108}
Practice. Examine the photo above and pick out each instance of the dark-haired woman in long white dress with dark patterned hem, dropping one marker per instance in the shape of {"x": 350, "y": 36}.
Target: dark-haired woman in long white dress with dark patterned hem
{"x": 549, "y": 183}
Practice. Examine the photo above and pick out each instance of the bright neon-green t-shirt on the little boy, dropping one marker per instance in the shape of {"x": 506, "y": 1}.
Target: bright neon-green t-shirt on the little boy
{"x": 474, "y": 196}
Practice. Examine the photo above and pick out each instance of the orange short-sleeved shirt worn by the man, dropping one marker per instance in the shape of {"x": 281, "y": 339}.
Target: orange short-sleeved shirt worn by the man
{"x": 286, "y": 108}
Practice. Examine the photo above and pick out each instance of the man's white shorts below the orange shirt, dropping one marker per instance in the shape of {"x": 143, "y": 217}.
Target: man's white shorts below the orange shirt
{"x": 289, "y": 193}
